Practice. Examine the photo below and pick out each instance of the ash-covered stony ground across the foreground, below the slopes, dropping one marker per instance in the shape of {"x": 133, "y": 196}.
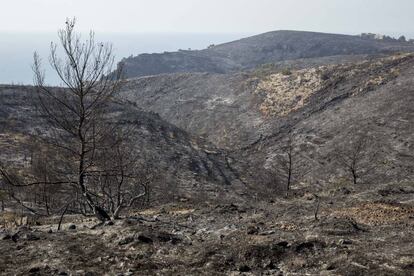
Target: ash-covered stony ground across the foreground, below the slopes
{"x": 359, "y": 230}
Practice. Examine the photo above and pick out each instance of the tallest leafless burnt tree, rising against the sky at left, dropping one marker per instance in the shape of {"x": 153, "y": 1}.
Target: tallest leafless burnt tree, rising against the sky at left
{"x": 76, "y": 112}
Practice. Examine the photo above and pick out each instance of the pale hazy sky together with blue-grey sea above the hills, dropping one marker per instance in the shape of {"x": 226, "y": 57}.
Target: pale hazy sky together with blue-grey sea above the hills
{"x": 142, "y": 26}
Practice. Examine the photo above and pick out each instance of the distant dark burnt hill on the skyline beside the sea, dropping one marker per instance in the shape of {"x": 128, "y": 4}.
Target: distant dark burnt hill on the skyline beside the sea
{"x": 265, "y": 48}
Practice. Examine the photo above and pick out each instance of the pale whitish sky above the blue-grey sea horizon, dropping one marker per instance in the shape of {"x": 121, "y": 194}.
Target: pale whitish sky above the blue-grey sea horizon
{"x": 211, "y": 16}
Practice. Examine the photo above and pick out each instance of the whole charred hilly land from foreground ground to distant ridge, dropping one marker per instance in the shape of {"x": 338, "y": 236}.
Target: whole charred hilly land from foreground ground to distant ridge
{"x": 286, "y": 153}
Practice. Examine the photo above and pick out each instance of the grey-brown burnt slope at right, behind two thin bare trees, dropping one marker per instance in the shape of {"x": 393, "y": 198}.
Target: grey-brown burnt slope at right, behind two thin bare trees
{"x": 374, "y": 102}
